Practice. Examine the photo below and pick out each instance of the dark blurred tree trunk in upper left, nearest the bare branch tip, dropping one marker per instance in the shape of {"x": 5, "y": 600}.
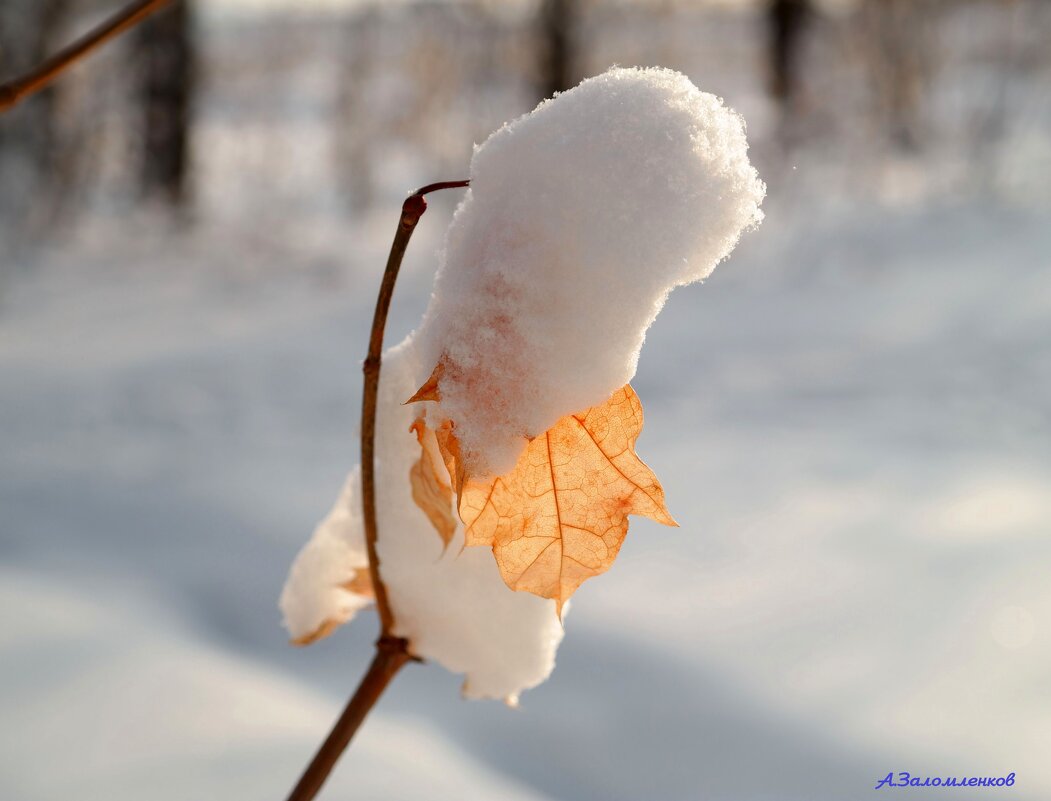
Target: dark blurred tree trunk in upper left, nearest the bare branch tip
{"x": 166, "y": 58}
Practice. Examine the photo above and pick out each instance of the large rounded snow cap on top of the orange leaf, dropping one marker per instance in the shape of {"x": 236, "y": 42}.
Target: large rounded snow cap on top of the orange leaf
{"x": 582, "y": 217}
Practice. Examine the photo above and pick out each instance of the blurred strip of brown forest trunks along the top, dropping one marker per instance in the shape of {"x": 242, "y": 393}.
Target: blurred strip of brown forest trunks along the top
{"x": 209, "y": 111}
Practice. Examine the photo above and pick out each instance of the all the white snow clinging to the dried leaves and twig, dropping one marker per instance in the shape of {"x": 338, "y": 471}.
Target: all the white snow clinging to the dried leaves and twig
{"x": 582, "y": 218}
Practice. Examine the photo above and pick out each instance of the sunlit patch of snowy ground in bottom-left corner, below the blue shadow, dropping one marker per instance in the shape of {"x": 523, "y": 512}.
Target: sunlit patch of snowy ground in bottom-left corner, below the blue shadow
{"x": 150, "y": 710}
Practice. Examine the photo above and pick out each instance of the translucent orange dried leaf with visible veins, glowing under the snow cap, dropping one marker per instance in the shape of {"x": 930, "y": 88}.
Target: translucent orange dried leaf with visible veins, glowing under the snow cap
{"x": 561, "y": 516}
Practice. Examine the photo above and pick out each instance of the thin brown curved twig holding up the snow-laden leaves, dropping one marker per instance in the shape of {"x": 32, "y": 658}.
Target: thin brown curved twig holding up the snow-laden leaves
{"x": 393, "y": 653}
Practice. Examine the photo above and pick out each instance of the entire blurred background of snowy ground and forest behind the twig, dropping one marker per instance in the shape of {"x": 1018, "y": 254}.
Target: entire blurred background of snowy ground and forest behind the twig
{"x": 852, "y": 419}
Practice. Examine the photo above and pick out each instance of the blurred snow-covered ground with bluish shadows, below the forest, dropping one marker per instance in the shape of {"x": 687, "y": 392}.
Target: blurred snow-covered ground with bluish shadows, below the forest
{"x": 852, "y": 420}
